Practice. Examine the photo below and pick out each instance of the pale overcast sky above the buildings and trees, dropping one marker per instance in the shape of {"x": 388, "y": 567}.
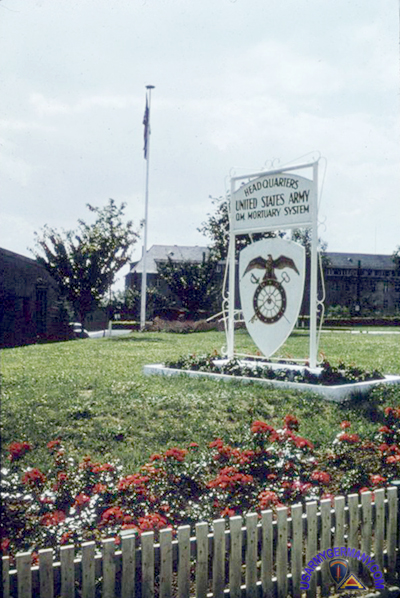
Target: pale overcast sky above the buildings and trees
{"x": 239, "y": 84}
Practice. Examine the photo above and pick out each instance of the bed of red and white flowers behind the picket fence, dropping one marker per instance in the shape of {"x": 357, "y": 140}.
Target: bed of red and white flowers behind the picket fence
{"x": 81, "y": 501}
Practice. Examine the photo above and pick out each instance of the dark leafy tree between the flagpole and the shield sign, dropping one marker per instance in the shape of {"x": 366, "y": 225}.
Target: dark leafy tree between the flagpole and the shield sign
{"x": 196, "y": 285}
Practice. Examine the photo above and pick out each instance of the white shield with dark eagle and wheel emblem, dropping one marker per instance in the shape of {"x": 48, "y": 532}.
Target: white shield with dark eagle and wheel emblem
{"x": 271, "y": 285}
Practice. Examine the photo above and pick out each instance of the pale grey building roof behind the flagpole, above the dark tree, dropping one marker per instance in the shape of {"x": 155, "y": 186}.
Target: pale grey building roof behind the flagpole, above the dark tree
{"x": 161, "y": 253}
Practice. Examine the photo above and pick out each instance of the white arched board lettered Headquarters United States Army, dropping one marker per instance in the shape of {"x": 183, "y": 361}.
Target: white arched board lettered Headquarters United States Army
{"x": 273, "y": 201}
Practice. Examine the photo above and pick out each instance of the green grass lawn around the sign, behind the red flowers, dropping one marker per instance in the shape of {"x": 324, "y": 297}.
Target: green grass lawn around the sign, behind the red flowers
{"x": 93, "y": 395}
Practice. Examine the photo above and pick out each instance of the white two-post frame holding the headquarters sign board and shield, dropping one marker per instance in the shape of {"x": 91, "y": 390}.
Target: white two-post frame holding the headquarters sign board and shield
{"x": 311, "y": 221}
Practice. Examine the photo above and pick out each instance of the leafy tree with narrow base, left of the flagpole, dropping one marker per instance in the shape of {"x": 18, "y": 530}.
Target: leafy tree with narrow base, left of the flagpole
{"x": 84, "y": 262}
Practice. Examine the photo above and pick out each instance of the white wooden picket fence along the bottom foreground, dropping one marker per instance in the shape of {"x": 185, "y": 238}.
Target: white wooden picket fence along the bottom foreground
{"x": 257, "y": 557}
